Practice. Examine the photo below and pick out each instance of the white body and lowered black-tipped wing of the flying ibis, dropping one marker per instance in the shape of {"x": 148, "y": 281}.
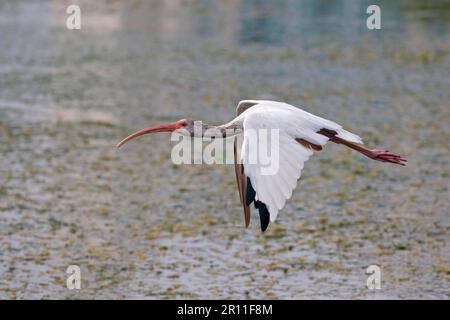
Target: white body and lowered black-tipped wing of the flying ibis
{"x": 296, "y": 134}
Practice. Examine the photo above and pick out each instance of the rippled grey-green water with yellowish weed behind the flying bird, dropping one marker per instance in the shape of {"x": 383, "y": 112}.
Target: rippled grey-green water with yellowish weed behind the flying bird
{"x": 141, "y": 227}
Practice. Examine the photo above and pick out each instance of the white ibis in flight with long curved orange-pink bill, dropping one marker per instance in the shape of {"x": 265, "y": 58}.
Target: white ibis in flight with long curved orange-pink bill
{"x": 300, "y": 133}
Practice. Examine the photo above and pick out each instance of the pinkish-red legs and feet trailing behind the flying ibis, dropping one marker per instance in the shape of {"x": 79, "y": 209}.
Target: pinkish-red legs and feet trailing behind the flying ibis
{"x": 375, "y": 154}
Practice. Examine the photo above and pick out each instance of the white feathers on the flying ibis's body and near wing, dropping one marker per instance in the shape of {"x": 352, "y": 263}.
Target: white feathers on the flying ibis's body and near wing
{"x": 292, "y": 123}
